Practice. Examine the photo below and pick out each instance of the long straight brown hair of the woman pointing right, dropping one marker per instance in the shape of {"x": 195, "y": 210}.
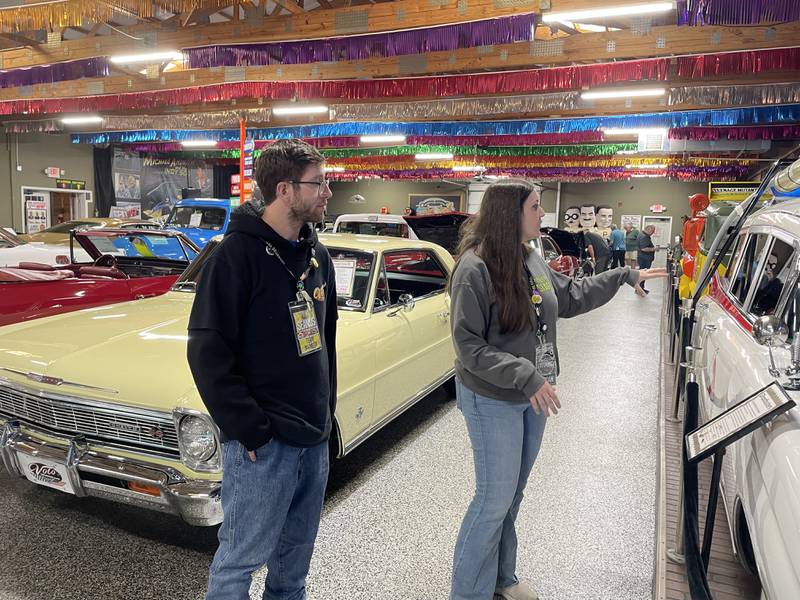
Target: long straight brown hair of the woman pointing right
{"x": 495, "y": 235}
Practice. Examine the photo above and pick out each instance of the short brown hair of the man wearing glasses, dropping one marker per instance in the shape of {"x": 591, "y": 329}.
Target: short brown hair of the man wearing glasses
{"x": 285, "y": 160}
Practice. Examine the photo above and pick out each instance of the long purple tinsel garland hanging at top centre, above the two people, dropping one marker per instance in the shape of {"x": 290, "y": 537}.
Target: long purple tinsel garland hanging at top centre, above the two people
{"x": 502, "y": 30}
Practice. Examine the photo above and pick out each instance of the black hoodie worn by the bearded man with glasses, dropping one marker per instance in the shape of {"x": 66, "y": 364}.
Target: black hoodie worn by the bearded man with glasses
{"x": 242, "y": 350}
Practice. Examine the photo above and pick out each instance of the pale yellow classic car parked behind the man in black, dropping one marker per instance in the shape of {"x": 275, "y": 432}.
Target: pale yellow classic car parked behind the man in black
{"x": 101, "y": 402}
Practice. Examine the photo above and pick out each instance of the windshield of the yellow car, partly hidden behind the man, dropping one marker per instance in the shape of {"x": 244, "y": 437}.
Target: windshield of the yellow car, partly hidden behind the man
{"x": 353, "y": 274}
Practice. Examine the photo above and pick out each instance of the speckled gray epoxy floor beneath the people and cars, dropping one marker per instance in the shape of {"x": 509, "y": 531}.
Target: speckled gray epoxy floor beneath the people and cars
{"x": 586, "y": 527}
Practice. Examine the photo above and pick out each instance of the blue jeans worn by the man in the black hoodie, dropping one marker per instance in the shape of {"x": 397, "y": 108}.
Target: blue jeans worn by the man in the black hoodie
{"x": 271, "y": 511}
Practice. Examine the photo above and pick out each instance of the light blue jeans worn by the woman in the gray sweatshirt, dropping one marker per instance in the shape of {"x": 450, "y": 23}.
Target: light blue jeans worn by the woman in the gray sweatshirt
{"x": 505, "y": 438}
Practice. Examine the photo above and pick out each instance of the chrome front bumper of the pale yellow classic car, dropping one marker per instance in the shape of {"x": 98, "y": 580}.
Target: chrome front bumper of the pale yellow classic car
{"x": 196, "y": 501}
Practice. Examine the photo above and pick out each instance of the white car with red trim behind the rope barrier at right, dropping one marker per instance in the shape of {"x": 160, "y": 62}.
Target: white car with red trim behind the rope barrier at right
{"x": 733, "y": 325}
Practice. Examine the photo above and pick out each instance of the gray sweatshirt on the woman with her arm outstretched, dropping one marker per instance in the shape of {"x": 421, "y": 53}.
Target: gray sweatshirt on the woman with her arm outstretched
{"x": 501, "y": 365}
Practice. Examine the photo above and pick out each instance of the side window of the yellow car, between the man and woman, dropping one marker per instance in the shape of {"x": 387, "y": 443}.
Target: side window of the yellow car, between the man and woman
{"x": 414, "y": 272}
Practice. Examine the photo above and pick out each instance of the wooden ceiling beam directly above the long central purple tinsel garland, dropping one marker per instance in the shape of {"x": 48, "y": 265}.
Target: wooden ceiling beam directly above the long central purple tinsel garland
{"x": 383, "y": 17}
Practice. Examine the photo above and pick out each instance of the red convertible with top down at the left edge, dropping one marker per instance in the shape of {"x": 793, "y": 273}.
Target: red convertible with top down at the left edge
{"x": 126, "y": 265}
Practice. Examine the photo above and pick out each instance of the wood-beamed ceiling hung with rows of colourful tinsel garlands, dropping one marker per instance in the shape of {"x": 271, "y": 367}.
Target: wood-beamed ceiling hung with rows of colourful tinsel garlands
{"x": 735, "y": 85}
